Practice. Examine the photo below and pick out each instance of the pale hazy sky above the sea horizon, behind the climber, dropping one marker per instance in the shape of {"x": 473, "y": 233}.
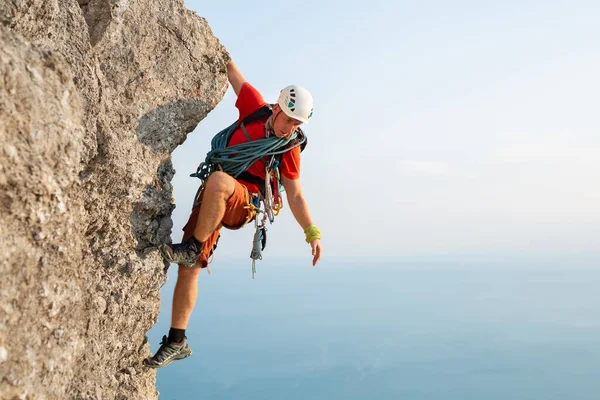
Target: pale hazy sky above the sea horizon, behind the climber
{"x": 441, "y": 129}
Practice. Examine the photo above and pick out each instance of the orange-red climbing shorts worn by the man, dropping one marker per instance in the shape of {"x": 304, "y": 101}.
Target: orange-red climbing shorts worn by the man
{"x": 236, "y": 215}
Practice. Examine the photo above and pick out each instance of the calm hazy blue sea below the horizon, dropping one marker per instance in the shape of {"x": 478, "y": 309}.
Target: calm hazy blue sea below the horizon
{"x": 388, "y": 332}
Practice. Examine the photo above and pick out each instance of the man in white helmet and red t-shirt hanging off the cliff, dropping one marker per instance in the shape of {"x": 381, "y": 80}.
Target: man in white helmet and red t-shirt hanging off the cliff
{"x": 229, "y": 202}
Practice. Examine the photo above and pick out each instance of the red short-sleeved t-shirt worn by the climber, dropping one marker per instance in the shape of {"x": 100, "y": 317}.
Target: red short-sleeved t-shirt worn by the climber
{"x": 248, "y": 101}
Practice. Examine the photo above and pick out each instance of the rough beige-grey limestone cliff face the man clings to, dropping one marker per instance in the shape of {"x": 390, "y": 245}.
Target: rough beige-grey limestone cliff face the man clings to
{"x": 94, "y": 96}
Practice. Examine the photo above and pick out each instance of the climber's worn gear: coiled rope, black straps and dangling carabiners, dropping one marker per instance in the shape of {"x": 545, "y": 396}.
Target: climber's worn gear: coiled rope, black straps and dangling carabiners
{"x": 235, "y": 161}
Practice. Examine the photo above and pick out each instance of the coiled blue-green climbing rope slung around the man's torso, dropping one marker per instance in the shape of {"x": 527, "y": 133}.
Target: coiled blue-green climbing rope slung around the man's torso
{"x": 238, "y": 158}
